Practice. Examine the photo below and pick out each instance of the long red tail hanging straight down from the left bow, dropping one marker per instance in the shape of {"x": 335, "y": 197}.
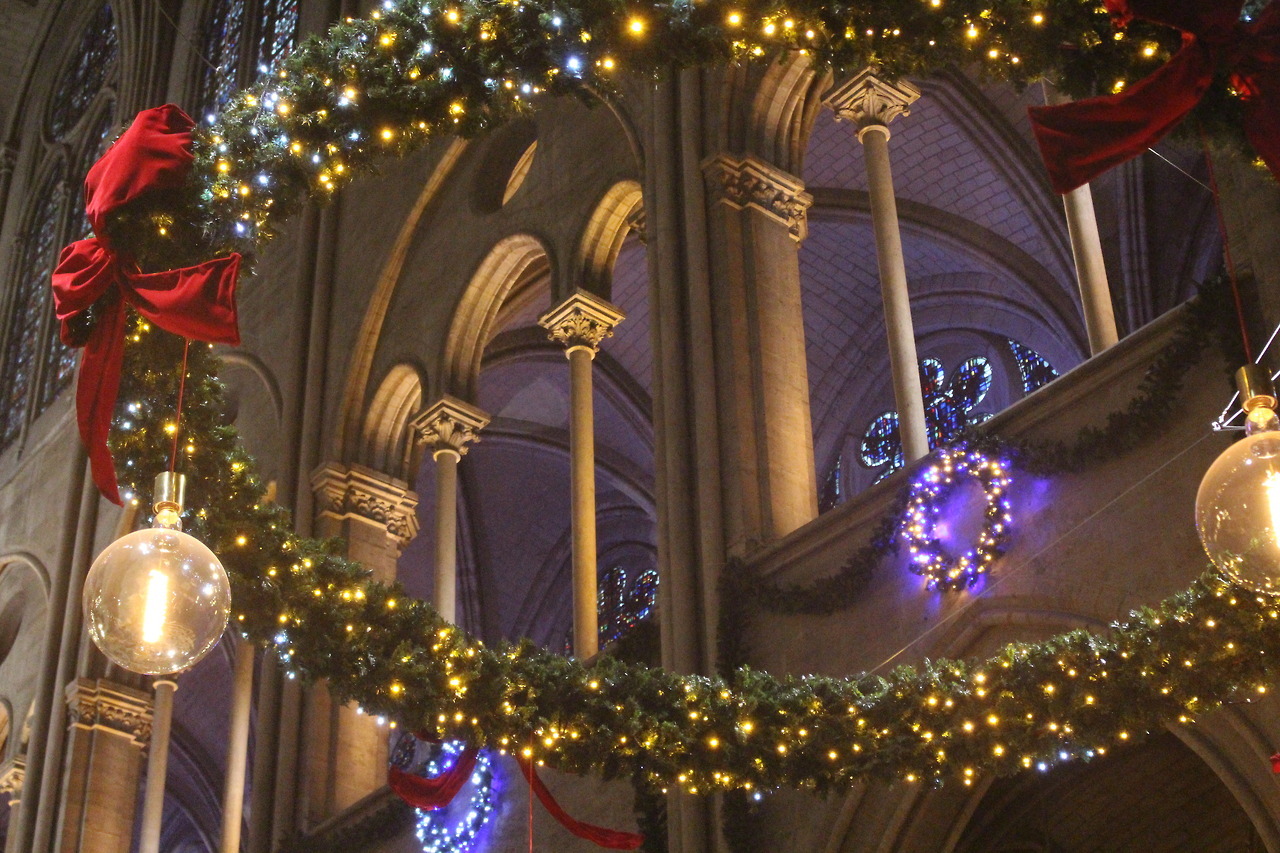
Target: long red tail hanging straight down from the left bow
{"x": 95, "y": 395}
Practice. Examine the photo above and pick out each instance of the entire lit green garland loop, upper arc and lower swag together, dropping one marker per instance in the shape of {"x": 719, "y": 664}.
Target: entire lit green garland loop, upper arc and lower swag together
{"x": 414, "y": 72}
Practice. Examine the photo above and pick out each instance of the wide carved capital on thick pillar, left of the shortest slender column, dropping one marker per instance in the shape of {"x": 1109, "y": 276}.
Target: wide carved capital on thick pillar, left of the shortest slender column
{"x": 364, "y": 494}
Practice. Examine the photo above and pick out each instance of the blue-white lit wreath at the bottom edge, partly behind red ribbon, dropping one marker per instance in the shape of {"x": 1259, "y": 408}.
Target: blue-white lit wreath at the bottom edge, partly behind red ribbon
{"x": 455, "y": 828}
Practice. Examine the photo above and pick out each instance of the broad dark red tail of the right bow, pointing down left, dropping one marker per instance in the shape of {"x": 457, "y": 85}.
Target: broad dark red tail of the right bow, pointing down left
{"x": 1082, "y": 140}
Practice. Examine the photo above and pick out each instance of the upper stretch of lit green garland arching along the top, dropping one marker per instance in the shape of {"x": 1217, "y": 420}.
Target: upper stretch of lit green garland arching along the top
{"x": 422, "y": 70}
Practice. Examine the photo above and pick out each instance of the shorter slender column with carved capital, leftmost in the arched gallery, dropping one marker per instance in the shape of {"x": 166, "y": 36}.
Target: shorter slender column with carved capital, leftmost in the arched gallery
{"x": 447, "y": 428}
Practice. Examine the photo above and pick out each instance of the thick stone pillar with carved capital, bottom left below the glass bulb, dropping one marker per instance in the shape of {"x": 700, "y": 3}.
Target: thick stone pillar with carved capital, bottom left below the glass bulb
{"x": 111, "y": 726}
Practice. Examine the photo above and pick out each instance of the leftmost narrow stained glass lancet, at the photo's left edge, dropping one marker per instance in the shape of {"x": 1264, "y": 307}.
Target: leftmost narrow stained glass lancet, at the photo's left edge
{"x": 31, "y": 305}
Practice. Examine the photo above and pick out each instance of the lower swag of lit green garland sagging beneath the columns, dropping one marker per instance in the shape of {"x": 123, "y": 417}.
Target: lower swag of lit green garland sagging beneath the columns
{"x": 1076, "y": 696}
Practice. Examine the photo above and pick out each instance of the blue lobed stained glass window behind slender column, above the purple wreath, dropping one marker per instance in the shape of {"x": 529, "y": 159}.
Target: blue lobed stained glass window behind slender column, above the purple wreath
{"x": 949, "y": 409}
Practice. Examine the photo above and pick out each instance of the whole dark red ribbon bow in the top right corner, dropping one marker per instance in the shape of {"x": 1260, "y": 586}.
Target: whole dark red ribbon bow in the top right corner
{"x": 1085, "y": 139}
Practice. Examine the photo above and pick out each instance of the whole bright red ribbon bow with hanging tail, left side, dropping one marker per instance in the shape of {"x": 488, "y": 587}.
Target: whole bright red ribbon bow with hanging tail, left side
{"x": 196, "y": 302}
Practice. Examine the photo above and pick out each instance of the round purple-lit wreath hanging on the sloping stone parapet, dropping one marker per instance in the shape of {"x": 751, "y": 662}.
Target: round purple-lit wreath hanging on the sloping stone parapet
{"x": 924, "y": 524}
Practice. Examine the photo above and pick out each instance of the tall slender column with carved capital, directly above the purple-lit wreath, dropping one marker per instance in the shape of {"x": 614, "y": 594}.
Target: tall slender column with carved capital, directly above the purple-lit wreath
{"x": 872, "y": 103}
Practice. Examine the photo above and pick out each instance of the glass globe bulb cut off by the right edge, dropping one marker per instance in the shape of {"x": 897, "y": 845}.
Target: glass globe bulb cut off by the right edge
{"x": 1238, "y": 503}
